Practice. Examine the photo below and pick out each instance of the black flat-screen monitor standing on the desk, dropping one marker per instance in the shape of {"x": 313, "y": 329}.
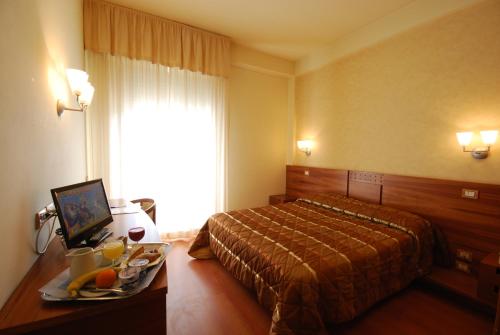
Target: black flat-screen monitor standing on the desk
{"x": 83, "y": 210}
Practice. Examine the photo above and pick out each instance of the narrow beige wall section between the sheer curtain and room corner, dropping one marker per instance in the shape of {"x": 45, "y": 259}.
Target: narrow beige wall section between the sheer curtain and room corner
{"x": 258, "y": 127}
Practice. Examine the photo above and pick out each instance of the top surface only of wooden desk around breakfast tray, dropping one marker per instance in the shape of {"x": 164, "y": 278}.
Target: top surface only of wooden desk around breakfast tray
{"x": 26, "y": 311}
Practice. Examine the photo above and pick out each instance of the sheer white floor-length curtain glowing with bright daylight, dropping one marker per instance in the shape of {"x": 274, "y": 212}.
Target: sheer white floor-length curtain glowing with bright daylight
{"x": 158, "y": 132}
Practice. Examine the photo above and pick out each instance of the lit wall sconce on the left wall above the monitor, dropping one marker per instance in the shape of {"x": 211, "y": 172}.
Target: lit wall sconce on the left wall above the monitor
{"x": 80, "y": 86}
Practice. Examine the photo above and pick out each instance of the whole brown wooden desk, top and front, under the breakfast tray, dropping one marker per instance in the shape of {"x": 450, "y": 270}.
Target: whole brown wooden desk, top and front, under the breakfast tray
{"x": 26, "y": 313}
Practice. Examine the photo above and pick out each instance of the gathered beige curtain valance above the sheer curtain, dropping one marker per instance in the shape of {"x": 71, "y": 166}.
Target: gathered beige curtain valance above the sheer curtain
{"x": 126, "y": 32}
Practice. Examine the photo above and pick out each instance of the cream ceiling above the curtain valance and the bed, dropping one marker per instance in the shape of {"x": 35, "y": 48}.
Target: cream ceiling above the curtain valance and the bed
{"x": 291, "y": 29}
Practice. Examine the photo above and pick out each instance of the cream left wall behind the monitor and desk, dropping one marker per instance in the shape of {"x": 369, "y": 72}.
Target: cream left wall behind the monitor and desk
{"x": 39, "y": 150}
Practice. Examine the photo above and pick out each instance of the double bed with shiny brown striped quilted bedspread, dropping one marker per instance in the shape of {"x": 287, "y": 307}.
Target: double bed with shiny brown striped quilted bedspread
{"x": 319, "y": 260}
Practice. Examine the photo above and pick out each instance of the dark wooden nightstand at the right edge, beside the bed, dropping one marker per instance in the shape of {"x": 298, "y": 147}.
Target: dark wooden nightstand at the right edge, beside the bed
{"x": 489, "y": 279}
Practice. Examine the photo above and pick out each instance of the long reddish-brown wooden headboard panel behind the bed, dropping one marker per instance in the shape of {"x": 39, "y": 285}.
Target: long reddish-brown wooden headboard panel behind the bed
{"x": 469, "y": 224}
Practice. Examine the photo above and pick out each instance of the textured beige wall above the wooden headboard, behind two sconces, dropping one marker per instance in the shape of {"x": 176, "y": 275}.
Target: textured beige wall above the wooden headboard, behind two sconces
{"x": 395, "y": 107}
